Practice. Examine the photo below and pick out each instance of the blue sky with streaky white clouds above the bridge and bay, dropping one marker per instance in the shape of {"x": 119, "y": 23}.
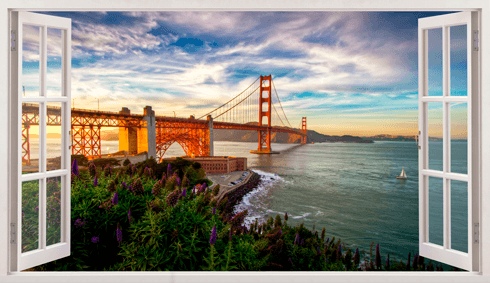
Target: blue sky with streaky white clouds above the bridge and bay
{"x": 349, "y": 73}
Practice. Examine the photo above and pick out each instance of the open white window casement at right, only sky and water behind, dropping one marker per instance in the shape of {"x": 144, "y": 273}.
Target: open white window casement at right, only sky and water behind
{"x": 449, "y": 154}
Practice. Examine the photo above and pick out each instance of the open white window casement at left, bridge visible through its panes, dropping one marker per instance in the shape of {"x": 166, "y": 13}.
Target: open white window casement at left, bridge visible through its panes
{"x": 40, "y": 90}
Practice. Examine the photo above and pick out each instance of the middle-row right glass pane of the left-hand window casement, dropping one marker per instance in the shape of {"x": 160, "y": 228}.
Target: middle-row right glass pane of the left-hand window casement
{"x": 53, "y": 138}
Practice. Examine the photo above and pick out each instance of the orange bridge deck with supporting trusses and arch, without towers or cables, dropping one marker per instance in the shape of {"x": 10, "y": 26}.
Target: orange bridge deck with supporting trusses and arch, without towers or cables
{"x": 138, "y": 133}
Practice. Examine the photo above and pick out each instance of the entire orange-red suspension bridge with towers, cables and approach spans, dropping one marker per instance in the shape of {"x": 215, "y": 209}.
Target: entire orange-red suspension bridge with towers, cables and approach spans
{"x": 252, "y": 109}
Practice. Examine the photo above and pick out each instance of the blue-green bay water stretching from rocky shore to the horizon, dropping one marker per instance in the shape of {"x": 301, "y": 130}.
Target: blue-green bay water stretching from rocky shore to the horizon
{"x": 351, "y": 190}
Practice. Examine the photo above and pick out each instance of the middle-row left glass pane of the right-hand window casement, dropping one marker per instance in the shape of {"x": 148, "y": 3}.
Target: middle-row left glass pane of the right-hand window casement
{"x": 435, "y": 135}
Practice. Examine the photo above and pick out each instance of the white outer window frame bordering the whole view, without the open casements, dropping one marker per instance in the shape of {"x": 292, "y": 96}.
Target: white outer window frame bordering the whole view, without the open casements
{"x": 483, "y": 6}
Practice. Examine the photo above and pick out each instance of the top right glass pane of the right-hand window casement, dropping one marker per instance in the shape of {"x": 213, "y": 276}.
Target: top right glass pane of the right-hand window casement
{"x": 458, "y": 56}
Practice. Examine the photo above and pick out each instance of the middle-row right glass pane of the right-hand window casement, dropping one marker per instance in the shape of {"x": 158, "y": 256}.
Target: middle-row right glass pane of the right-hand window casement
{"x": 459, "y": 137}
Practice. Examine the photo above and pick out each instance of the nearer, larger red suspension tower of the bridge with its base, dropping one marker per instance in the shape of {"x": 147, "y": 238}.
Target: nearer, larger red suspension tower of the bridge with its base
{"x": 265, "y": 97}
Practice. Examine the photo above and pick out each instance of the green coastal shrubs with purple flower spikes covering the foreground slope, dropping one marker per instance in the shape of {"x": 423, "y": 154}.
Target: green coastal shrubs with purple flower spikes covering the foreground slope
{"x": 165, "y": 217}
